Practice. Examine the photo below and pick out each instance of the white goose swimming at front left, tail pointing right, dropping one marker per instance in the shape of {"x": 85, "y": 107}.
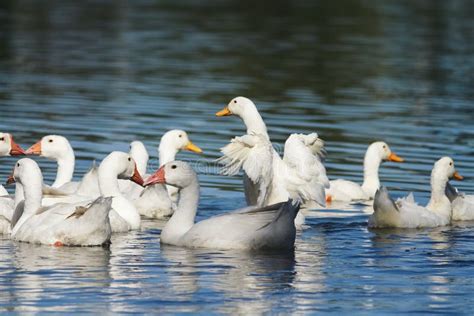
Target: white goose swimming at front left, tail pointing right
{"x": 62, "y": 224}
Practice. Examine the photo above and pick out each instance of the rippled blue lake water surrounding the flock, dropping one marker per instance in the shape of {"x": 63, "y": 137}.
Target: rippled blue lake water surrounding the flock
{"x": 106, "y": 73}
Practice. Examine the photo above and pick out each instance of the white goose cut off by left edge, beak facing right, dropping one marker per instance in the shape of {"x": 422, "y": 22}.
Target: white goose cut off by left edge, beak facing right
{"x": 8, "y": 147}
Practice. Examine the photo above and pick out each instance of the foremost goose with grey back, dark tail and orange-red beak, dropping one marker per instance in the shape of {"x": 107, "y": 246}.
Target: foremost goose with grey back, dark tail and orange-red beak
{"x": 247, "y": 229}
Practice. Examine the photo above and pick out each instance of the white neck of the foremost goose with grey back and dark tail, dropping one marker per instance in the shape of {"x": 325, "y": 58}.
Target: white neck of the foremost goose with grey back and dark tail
{"x": 183, "y": 218}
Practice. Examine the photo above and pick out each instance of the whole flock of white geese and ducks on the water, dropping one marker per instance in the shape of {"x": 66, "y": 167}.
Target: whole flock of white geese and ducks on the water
{"x": 113, "y": 197}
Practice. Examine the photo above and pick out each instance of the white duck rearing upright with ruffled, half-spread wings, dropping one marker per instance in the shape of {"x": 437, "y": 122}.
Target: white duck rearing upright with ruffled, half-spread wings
{"x": 300, "y": 174}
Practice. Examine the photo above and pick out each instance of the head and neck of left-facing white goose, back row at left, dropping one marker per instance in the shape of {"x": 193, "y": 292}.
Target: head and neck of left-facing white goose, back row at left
{"x": 58, "y": 148}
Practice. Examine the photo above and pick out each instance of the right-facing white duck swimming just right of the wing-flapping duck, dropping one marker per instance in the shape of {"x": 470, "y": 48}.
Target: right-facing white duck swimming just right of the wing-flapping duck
{"x": 344, "y": 190}
